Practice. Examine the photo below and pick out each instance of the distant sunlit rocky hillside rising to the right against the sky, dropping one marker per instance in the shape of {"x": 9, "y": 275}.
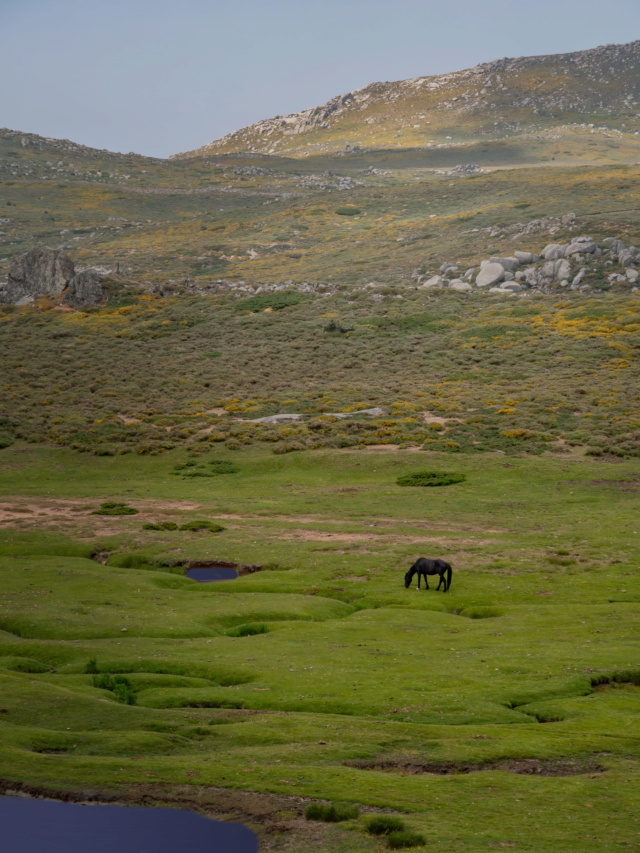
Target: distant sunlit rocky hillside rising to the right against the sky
{"x": 508, "y": 97}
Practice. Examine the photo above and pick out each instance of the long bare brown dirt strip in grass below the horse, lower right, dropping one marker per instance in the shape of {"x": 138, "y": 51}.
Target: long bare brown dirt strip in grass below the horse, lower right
{"x": 522, "y": 766}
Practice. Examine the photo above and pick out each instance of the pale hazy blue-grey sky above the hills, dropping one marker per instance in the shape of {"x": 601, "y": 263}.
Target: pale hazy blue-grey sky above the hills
{"x": 158, "y": 77}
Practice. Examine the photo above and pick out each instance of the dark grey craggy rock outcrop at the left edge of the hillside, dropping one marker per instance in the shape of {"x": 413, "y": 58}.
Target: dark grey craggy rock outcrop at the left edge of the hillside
{"x": 50, "y": 272}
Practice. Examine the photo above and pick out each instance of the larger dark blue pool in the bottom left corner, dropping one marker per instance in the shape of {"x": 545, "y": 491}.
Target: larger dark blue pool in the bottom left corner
{"x": 45, "y": 826}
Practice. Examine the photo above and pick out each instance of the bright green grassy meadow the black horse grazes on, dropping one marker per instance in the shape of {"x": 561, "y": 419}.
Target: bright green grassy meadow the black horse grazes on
{"x": 504, "y": 713}
